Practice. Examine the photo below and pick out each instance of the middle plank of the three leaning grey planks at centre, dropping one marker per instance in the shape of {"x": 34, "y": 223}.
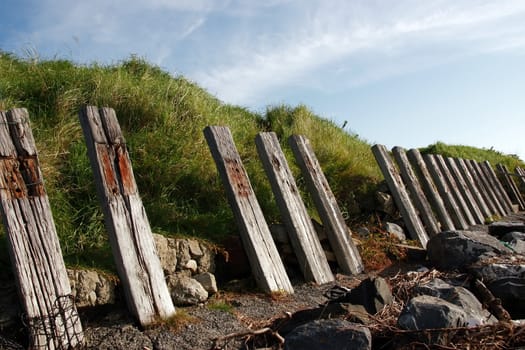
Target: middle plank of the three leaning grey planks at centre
{"x": 301, "y": 231}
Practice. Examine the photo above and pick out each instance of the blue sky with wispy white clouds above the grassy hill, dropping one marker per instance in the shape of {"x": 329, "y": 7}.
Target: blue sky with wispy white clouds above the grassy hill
{"x": 399, "y": 72}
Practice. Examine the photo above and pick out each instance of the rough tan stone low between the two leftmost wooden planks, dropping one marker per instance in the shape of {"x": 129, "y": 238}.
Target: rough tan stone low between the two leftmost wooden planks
{"x": 91, "y": 288}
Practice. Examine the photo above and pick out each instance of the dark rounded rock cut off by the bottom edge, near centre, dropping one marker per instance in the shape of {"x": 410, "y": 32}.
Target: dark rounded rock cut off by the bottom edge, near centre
{"x": 329, "y": 334}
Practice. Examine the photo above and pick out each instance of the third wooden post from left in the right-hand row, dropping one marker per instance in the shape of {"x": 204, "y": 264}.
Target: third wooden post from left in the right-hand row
{"x": 430, "y": 189}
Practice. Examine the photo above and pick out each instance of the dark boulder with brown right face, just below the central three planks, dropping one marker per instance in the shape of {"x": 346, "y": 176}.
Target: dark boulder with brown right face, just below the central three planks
{"x": 373, "y": 293}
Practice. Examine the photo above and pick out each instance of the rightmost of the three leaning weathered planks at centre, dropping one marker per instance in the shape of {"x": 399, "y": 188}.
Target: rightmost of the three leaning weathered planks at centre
{"x": 337, "y": 232}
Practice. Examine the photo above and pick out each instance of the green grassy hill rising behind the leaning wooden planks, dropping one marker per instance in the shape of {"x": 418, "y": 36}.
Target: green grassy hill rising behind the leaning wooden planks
{"x": 162, "y": 117}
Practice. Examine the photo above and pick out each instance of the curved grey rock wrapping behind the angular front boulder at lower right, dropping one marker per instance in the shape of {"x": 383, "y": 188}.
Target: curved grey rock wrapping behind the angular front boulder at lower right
{"x": 459, "y": 296}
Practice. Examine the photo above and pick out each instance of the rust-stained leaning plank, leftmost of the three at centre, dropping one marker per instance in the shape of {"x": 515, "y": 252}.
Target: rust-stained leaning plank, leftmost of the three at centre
{"x": 267, "y": 266}
